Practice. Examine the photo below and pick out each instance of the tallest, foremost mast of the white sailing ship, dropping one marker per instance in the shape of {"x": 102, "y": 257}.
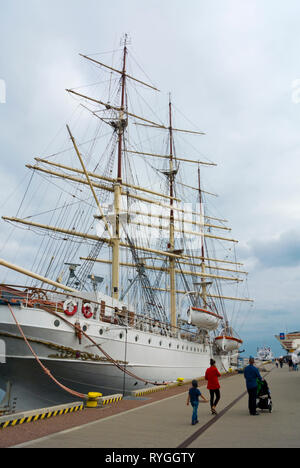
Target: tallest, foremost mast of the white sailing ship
{"x": 122, "y": 122}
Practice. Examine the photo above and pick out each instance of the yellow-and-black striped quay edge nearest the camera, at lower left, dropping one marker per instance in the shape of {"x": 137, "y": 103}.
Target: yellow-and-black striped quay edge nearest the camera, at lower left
{"x": 37, "y": 415}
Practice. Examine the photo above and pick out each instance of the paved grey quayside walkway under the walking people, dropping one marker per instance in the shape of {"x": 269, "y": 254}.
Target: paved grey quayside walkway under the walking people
{"x": 166, "y": 423}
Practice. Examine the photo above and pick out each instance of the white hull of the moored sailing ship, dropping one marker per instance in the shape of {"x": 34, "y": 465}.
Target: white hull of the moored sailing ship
{"x": 148, "y": 356}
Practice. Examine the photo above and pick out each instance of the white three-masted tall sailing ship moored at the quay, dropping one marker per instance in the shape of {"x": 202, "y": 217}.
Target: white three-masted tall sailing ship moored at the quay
{"x": 128, "y": 287}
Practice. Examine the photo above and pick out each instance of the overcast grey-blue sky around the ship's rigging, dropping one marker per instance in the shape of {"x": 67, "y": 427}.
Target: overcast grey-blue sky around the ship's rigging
{"x": 232, "y": 67}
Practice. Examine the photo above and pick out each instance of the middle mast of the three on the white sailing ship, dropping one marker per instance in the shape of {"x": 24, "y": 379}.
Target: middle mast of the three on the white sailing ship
{"x": 172, "y": 261}
